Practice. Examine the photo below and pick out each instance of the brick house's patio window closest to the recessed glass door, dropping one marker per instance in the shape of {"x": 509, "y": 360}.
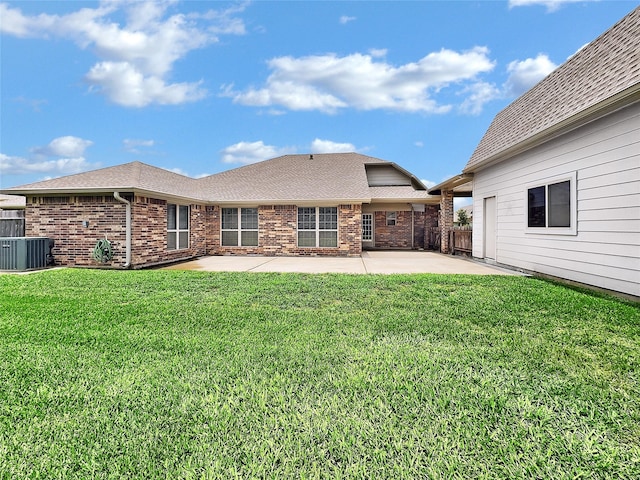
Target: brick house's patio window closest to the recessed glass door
{"x": 317, "y": 227}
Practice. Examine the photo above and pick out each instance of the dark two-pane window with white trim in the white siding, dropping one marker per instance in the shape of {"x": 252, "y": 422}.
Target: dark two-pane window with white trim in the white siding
{"x": 550, "y": 207}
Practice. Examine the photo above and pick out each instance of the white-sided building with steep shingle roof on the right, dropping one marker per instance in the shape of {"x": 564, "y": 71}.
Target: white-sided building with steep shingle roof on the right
{"x": 556, "y": 178}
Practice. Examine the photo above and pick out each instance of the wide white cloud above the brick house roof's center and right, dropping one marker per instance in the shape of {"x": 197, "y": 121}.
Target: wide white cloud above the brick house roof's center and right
{"x": 328, "y": 83}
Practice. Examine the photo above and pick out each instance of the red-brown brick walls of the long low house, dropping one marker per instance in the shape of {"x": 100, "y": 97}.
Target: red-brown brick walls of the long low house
{"x": 61, "y": 218}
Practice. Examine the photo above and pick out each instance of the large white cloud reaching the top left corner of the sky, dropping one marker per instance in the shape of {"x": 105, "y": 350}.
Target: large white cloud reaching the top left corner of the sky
{"x": 137, "y": 57}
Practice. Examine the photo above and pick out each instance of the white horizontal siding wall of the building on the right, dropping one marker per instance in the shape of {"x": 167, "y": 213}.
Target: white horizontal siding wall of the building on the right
{"x": 605, "y": 252}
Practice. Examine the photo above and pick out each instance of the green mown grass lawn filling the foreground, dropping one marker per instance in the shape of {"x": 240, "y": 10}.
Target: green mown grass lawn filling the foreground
{"x": 166, "y": 374}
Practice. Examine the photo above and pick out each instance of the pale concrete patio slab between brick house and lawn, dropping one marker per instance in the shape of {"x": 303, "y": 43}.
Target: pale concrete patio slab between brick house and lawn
{"x": 375, "y": 262}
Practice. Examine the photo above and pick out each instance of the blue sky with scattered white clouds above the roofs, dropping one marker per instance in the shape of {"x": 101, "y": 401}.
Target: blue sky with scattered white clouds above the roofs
{"x": 201, "y": 87}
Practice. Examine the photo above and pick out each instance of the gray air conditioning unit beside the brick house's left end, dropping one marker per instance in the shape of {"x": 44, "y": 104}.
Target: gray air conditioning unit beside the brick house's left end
{"x": 23, "y": 253}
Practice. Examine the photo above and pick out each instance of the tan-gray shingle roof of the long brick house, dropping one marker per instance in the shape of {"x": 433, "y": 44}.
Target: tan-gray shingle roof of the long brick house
{"x": 336, "y": 177}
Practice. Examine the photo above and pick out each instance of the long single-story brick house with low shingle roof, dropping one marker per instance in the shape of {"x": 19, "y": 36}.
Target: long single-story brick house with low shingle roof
{"x": 321, "y": 204}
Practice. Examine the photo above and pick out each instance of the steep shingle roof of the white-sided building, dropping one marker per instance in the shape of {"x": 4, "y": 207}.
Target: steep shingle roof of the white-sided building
{"x": 604, "y": 68}
